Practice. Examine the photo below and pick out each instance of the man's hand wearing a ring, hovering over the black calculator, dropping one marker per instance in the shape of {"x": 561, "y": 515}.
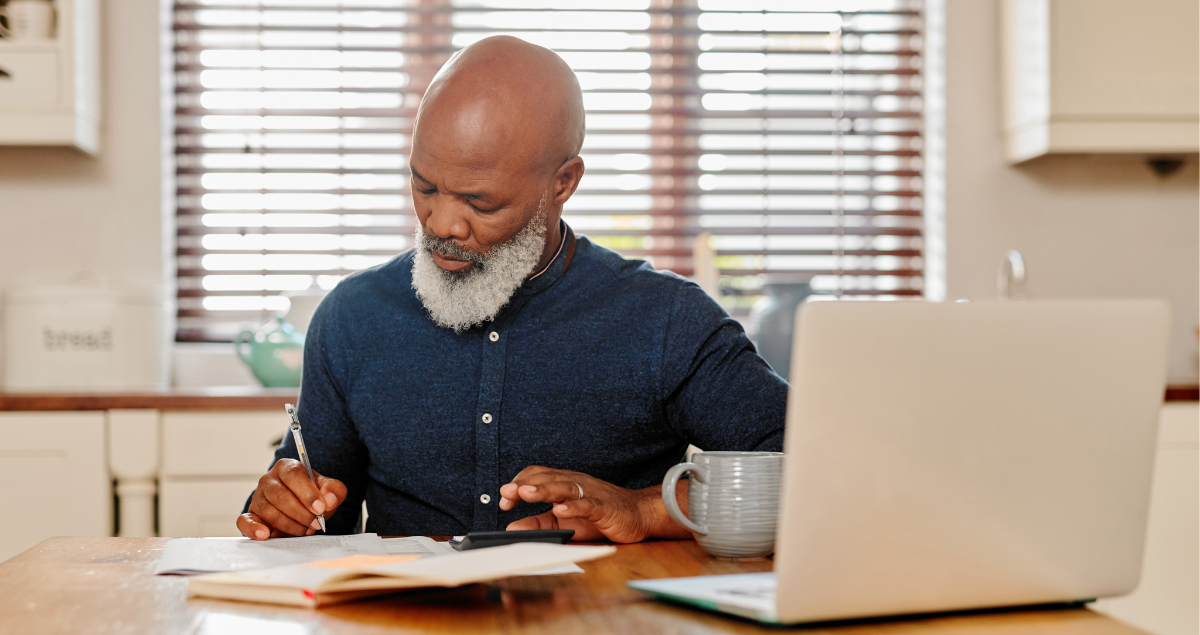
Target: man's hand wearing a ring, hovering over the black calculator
{"x": 607, "y": 512}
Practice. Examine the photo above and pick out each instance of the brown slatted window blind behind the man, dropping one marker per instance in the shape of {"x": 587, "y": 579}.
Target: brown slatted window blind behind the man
{"x": 785, "y": 134}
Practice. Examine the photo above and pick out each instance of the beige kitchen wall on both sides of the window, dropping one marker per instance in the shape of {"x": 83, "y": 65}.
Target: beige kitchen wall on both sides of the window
{"x": 1088, "y": 226}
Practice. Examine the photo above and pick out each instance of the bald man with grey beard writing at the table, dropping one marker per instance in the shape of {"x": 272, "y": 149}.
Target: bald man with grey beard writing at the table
{"x": 505, "y": 373}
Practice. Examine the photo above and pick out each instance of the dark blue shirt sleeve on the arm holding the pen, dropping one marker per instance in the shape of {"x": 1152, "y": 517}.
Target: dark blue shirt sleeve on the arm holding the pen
{"x": 329, "y": 434}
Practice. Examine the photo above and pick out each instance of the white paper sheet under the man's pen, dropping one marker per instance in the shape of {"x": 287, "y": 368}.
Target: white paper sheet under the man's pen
{"x": 189, "y": 556}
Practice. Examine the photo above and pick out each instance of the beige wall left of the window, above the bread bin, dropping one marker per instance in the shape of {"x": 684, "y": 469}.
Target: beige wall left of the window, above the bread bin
{"x": 63, "y": 213}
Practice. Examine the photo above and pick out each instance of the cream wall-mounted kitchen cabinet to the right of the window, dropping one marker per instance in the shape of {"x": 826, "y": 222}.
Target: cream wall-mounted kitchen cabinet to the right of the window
{"x": 1101, "y": 77}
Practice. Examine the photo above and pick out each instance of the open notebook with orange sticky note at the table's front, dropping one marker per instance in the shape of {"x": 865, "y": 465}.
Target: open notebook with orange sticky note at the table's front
{"x": 357, "y": 577}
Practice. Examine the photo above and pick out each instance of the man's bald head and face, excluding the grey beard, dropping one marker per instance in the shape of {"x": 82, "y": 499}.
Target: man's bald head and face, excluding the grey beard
{"x": 495, "y": 152}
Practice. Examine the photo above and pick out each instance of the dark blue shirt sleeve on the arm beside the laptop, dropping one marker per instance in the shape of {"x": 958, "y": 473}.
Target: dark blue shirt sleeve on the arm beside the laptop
{"x": 719, "y": 394}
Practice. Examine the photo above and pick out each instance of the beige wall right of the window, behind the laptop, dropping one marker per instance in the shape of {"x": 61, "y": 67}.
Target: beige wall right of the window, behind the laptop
{"x": 1088, "y": 226}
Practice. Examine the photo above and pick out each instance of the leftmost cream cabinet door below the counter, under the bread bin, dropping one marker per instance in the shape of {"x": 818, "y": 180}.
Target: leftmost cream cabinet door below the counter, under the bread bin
{"x": 55, "y": 465}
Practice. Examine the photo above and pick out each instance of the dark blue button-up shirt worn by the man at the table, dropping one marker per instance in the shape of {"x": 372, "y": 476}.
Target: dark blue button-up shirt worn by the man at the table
{"x": 605, "y": 367}
